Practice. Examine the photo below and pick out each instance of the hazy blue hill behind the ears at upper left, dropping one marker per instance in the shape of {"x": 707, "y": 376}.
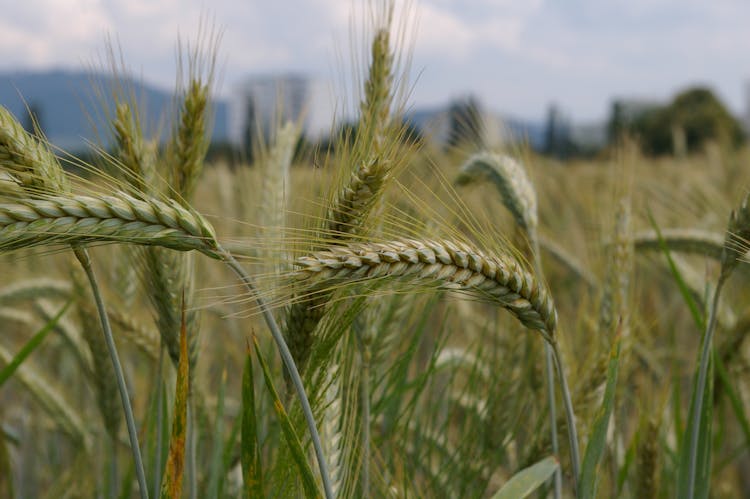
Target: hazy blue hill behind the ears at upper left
{"x": 71, "y": 114}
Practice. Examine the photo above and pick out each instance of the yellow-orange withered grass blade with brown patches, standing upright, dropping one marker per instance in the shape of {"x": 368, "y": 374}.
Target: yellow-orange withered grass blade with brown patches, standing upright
{"x": 171, "y": 486}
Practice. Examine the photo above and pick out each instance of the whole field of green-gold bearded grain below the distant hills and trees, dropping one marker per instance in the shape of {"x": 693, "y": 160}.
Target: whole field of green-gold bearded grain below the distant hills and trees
{"x": 471, "y": 322}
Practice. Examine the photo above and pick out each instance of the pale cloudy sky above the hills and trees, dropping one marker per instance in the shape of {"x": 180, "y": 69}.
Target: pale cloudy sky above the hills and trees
{"x": 516, "y": 56}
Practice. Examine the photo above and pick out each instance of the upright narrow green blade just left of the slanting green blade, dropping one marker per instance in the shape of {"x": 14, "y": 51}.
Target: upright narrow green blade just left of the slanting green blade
{"x": 252, "y": 472}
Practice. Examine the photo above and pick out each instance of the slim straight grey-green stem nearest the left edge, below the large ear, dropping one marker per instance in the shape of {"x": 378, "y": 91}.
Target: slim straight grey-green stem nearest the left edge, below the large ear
{"x": 83, "y": 257}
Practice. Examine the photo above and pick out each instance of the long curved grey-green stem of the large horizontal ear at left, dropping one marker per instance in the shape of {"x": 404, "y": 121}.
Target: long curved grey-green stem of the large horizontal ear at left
{"x": 291, "y": 367}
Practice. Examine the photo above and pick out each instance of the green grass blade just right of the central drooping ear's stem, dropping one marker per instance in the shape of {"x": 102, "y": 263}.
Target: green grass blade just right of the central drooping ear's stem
{"x": 598, "y": 439}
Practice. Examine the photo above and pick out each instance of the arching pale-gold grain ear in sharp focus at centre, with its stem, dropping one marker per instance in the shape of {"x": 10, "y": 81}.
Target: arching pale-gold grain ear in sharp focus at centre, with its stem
{"x": 455, "y": 264}
